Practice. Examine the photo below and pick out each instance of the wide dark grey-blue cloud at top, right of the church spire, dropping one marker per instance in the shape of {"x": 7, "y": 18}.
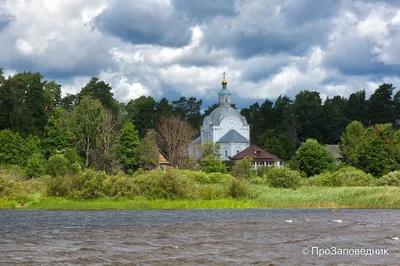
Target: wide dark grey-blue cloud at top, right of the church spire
{"x": 270, "y": 27}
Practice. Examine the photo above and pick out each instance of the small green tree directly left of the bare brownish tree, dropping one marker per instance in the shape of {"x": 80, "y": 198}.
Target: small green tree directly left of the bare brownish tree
{"x": 147, "y": 153}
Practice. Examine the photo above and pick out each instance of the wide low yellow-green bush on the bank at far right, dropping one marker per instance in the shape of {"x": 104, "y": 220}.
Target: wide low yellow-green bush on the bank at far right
{"x": 347, "y": 176}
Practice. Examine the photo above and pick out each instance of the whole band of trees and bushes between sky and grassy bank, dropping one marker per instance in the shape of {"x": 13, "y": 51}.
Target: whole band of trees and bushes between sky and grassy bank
{"x": 89, "y": 145}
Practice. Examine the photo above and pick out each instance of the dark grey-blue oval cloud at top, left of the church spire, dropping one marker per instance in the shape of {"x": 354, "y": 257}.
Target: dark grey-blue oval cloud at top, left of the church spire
{"x": 145, "y": 23}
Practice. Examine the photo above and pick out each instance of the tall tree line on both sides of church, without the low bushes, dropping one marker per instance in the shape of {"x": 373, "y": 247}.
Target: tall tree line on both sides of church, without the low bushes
{"x": 107, "y": 134}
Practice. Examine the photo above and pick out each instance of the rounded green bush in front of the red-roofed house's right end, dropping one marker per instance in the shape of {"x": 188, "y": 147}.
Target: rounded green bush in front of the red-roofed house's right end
{"x": 283, "y": 178}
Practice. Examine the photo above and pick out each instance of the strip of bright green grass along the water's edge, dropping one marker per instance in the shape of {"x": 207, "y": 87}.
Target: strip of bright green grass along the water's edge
{"x": 260, "y": 197}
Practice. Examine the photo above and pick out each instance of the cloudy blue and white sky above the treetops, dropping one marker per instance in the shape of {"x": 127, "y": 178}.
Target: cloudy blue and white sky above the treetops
{"x": 169, "y": 48}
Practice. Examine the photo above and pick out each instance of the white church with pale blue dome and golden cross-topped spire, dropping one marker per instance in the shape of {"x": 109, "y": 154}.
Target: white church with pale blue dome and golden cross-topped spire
{"x": 224, "y": 126}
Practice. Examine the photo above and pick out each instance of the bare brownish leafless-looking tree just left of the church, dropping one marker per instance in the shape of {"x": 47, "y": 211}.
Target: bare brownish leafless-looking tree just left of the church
{"x": 174, "y": 137}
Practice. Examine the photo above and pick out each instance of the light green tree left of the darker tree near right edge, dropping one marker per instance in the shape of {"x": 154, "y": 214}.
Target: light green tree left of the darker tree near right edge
{"x": 351, "y": 143}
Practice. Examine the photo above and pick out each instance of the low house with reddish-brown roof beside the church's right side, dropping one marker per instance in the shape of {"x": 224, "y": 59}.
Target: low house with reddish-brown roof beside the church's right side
{"x": 259, "y": 157}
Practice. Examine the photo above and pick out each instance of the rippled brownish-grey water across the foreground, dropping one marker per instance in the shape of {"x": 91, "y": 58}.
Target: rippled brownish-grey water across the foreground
{"x": 197, "y": 237}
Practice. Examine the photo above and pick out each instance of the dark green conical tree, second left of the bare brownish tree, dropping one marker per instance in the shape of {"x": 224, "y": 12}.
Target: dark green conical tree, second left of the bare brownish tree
{"x": 127, "y": 147}
